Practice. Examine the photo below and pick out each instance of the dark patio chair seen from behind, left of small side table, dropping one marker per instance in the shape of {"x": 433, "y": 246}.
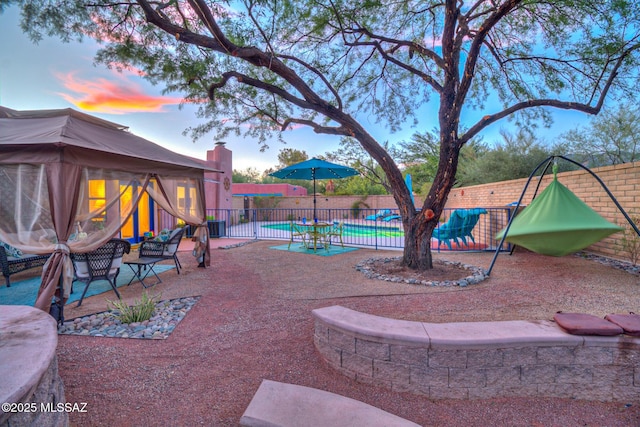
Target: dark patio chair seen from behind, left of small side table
{"x": 101, "y": 264}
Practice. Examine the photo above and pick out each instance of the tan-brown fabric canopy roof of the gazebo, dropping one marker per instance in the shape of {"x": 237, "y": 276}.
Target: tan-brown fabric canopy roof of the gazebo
{"x": 42, "y": 135}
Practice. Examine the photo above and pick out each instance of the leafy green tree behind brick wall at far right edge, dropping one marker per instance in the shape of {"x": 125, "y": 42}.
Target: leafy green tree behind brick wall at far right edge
{"x": 611, "y": 138}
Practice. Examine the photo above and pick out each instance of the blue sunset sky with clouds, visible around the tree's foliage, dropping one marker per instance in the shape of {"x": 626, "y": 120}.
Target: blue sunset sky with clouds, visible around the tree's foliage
{"x": 55, "y": 75}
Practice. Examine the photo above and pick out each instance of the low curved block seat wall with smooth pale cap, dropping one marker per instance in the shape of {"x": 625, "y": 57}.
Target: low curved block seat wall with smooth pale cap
{"x": 478, "y": 360}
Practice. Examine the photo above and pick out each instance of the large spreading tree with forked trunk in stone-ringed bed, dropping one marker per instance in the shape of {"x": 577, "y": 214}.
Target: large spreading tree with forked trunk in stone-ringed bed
{"x": 259, "y": 67}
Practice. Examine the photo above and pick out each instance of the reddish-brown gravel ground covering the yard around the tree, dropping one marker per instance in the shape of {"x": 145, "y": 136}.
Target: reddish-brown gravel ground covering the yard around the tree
{"x": 253, "y": 322}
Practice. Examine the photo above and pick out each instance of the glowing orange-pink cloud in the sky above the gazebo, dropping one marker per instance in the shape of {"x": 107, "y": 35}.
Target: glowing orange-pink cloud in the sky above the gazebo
{"x": 105, "y": 96}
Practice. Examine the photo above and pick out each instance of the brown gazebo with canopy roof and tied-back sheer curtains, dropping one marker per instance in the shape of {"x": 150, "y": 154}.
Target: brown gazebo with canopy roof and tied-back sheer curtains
{"x": 52, "y": 161}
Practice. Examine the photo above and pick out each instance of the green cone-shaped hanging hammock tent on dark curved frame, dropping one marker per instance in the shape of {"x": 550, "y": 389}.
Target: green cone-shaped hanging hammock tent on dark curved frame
{"x": 557, "y": 223}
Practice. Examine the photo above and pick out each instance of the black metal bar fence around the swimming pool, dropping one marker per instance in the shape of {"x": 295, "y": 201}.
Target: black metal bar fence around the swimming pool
{"x": 361, "y": 227}
